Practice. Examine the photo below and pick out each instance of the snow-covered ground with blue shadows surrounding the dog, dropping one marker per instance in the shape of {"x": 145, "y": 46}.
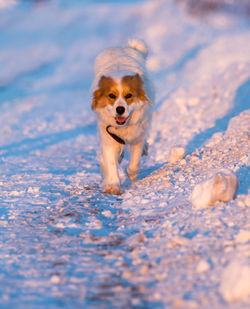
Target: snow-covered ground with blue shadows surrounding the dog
{"x": 64, "y": 244}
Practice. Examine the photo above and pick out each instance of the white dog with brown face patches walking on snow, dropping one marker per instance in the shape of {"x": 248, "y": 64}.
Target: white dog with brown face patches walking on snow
{"x": 122, "y": 98}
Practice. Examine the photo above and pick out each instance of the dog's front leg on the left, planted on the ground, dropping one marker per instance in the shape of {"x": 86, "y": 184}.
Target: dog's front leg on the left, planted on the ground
{"x": 110, "y": 169}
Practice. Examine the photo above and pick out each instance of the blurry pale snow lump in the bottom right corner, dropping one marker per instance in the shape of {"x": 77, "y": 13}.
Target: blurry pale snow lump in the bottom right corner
{"x": 235, "y": 283}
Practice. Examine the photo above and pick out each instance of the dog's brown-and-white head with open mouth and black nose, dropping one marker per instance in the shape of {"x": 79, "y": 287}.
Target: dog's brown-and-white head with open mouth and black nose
{"x": 118, "y": 98}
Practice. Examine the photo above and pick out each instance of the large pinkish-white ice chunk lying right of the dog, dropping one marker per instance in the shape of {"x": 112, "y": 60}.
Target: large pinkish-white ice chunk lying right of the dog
{"x": 221, "y": 187}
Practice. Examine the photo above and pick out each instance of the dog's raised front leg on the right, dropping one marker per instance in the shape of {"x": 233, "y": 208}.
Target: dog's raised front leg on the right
{"x": 134, "y": 161}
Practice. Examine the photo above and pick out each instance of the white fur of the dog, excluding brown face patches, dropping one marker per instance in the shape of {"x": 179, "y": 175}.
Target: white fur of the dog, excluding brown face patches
{"x": 117, "y": 63}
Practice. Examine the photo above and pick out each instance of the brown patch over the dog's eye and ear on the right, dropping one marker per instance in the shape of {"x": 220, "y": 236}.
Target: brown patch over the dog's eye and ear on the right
{"x": 132, "y": 89}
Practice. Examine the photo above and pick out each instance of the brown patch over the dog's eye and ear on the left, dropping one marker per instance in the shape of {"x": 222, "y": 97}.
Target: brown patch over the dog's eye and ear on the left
{"x": 103, "y": 95}
